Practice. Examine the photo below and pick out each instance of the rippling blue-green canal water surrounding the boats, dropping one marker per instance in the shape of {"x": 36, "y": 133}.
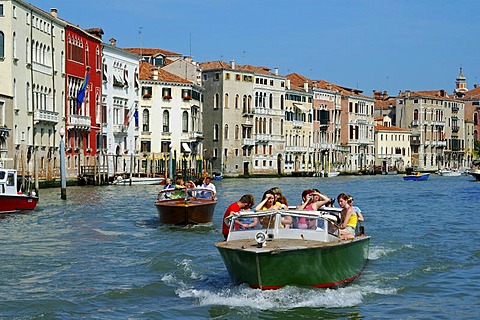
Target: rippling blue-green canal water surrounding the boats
{"x": 102, "y": 254}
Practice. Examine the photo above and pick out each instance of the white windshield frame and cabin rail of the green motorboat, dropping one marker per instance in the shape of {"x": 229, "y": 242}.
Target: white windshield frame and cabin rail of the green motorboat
{"x": 319, "y": 225}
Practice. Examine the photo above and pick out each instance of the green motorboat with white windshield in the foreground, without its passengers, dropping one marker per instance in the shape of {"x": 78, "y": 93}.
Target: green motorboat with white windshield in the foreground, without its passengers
{"x": 274, "y": 257}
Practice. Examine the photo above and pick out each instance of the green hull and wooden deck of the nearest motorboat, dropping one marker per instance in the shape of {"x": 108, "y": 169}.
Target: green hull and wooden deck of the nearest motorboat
{"x": 300, "y": 262}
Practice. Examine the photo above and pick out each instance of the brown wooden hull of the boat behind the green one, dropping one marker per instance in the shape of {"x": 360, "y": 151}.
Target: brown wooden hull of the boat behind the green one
{"x": 181, "y": 212}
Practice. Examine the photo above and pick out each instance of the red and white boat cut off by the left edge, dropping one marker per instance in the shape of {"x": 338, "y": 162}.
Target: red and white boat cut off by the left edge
{"x": 11, "y": 199}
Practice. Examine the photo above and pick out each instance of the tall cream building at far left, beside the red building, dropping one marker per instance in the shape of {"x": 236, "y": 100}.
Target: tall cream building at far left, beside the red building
{"x": 32, "y": 68}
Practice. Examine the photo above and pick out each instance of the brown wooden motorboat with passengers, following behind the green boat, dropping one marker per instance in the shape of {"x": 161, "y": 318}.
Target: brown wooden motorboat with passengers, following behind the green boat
{"x": 186, "y": 206}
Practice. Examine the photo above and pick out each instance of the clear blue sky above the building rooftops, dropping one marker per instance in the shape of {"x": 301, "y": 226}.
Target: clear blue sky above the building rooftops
{"x": 392, "y": 45}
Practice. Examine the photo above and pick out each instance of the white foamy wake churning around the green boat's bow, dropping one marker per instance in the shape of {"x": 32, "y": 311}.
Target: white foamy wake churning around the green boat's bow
{"x": 216, "y": 289}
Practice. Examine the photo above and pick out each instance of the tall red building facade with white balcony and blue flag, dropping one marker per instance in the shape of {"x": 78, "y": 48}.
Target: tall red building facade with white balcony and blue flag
{"x": 83, "y": 69}
